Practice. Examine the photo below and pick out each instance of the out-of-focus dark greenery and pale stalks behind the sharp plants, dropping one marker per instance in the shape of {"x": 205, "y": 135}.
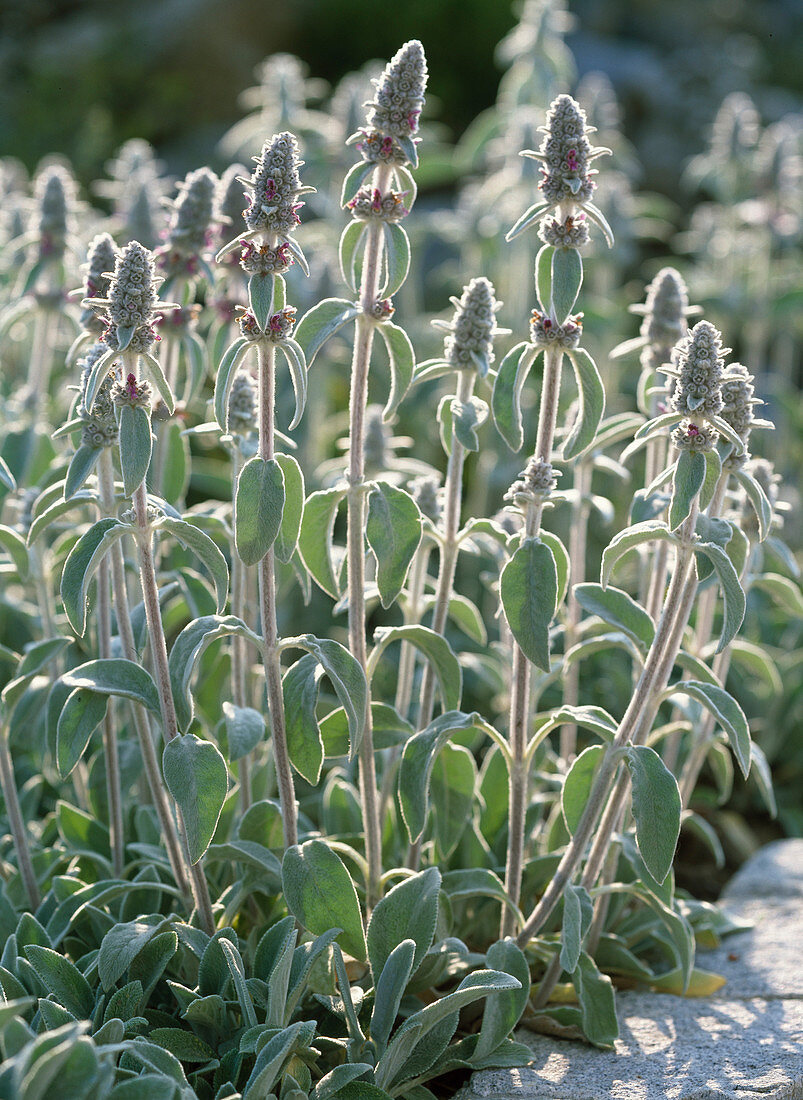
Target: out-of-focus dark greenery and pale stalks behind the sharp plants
{"x": 702, "y": 105}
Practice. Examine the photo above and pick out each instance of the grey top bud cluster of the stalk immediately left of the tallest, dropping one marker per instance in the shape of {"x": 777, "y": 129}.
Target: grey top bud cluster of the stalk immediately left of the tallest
{"x": 276, "y": 185}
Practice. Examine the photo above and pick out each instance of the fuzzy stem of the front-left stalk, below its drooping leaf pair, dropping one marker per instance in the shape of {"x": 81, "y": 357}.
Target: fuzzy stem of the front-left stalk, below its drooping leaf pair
{"x": 159, "y": 655}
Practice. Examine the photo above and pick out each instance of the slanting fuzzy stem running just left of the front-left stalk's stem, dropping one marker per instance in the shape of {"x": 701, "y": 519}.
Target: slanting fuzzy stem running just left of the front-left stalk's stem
{"x": 142, "y": 729}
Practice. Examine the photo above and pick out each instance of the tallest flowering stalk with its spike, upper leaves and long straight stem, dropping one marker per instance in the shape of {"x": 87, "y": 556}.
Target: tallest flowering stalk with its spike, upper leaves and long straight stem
{"x": 376, "y": 246}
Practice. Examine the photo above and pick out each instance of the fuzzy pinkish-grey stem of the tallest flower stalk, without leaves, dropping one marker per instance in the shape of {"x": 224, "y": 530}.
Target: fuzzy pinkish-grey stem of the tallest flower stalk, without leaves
{"x": 356, "y": 533}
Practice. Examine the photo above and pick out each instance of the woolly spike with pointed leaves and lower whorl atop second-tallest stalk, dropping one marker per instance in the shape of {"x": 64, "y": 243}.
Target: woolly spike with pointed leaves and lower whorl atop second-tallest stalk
{"x": 567, "y": 188}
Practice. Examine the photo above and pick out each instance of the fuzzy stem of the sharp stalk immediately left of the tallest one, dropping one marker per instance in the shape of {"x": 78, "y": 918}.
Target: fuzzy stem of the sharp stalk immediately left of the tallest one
{"x": 267, "y": 355}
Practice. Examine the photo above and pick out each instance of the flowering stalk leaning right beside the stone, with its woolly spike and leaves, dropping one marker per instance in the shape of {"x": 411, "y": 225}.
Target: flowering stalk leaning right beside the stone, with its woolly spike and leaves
{"x": 697, "y": 404}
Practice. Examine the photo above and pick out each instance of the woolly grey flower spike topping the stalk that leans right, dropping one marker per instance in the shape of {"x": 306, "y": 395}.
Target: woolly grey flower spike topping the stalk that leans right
{"x": 698, "y": 365}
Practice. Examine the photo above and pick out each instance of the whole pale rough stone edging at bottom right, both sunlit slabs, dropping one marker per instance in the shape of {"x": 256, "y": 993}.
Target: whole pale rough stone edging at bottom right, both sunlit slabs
{"x": 744, "y": 1043}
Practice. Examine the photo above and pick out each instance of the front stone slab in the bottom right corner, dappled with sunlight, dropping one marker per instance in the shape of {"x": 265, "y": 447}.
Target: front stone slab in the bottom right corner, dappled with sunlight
{"x": 669, "y": 1048}
